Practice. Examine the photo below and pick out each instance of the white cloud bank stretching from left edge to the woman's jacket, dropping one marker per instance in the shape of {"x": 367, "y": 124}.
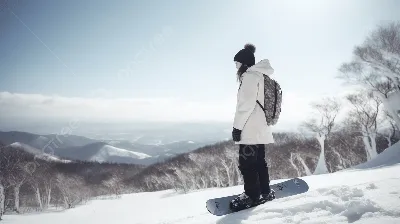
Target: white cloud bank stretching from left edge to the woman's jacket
{"x": 32, "y": 106}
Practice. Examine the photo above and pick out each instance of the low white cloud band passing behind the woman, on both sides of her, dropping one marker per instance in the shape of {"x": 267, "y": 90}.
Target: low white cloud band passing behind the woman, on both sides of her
{"x": 13, "y": 106}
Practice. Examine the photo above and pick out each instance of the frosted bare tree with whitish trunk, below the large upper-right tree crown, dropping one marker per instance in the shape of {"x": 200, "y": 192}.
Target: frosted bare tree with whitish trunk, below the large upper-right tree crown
{"x": 365, "y": 114}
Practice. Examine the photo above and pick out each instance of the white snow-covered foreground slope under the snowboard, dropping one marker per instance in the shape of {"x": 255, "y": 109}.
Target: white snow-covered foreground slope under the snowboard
{"x": 369, "y": 194}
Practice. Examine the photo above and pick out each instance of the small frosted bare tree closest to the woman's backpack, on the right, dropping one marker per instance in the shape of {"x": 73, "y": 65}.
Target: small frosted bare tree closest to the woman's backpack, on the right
{"x": 322, "y": 125}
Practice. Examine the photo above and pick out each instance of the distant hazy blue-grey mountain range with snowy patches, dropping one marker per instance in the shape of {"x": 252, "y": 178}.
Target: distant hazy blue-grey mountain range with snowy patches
{"x": 73, "y": 147}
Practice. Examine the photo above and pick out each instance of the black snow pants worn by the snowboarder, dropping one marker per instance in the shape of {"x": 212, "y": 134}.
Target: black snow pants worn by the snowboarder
{"x": 254, "y": 170}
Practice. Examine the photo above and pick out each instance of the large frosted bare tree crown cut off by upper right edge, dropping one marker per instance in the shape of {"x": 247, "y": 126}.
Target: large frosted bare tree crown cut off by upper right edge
{"x": 376, "y": 66}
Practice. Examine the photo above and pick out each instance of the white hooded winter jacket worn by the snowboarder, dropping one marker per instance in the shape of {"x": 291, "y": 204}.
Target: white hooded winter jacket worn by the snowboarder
{"x": 249, "y": 116}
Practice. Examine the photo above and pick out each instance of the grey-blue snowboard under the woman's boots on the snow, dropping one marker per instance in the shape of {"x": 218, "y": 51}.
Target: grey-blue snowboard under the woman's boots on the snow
{"x": 220, "y": 206}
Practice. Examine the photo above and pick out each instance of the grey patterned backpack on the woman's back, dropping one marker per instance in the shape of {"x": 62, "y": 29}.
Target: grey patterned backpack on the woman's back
{"x": 272, "y": 100}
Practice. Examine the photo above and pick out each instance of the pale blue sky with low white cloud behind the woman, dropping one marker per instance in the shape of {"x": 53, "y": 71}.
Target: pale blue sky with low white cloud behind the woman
{"x": 103, "y": 52}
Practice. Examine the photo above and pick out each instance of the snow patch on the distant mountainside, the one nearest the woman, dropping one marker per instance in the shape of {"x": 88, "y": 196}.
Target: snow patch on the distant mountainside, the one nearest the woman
{"x": 108, "y": 151}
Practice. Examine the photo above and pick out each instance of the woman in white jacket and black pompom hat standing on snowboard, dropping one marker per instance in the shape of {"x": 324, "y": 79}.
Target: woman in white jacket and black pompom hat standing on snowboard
{"x": 250, "y": 129}
